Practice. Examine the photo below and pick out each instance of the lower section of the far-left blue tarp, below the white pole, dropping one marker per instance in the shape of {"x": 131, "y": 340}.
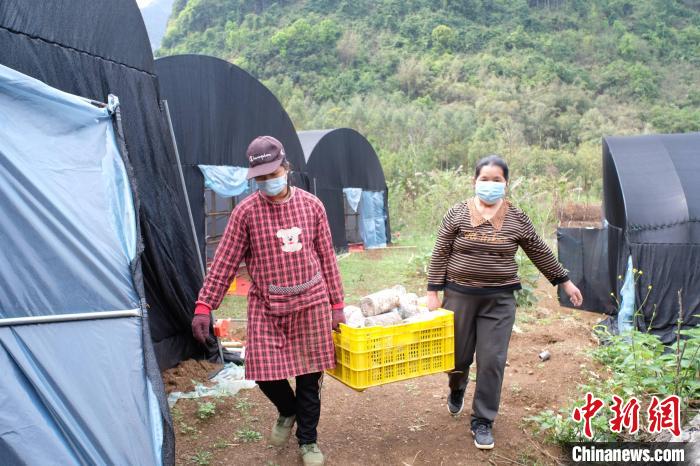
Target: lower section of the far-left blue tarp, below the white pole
{"x": 76, "y": 393}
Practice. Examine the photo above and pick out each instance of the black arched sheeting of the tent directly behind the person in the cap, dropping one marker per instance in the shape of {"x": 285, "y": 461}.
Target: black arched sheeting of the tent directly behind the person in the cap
{"x": 217, "y": 109}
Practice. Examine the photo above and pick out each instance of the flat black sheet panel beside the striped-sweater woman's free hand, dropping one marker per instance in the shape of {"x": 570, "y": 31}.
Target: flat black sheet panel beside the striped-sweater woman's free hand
{"x": 584, "y": 253}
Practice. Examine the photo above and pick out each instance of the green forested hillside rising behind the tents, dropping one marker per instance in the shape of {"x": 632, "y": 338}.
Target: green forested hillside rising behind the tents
{"x": 435, "y": 84}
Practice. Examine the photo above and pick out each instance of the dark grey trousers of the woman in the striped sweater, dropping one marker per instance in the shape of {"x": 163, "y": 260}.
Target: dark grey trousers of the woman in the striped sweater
{"x": 483, "y": 324}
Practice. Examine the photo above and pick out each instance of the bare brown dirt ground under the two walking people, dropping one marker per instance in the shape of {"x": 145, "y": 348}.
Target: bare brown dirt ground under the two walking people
{"x": 407, "y": 423}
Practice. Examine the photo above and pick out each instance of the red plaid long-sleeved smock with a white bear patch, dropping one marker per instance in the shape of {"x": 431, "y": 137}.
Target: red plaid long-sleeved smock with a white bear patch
{"x": 289, "y": 254}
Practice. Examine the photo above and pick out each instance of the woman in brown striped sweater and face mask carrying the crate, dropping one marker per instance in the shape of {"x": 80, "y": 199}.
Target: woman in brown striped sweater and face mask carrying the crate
{"x": 474, "y": 263}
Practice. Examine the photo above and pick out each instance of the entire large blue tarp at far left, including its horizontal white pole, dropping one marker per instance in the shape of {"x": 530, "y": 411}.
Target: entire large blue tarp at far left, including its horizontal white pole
{"x": 75, "y": 391}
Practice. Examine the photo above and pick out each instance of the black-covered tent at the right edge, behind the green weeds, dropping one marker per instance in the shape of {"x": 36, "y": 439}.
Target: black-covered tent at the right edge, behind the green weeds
{"x": 652, "y": 212}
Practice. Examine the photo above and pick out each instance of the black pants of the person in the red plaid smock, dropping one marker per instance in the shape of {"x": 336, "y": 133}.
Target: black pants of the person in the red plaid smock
{"x": 305, "y": 404}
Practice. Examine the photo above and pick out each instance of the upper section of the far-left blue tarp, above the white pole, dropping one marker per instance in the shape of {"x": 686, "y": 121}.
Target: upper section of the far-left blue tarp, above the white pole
{"x": 62, "y": 182}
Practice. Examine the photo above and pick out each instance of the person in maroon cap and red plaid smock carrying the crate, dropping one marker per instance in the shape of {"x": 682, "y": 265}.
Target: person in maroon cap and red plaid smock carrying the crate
{"x": 296, "y": 297}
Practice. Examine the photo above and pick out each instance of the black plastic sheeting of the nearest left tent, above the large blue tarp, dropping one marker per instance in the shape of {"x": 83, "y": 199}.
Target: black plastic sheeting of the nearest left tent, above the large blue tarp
{"x": 93, "y": 49}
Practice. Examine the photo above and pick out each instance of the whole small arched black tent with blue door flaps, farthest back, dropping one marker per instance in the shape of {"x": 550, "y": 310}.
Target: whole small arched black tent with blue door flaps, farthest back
{"x": 346, "y": 174}
